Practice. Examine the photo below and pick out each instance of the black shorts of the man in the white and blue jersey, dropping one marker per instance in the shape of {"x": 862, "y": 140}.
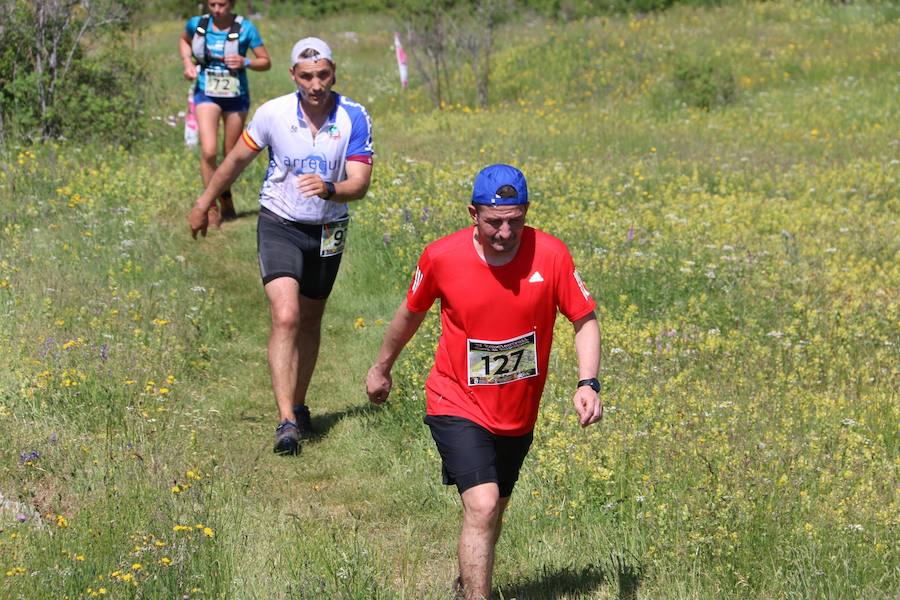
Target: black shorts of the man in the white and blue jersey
{"x": 289, "y": 249}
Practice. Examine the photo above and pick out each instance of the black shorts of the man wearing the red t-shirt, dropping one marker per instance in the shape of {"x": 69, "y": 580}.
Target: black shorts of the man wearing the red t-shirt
{"x": 472, "y": 455}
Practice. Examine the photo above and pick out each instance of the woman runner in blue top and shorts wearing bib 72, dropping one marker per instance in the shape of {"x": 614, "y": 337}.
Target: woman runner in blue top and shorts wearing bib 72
{"x": 213, "y": 49}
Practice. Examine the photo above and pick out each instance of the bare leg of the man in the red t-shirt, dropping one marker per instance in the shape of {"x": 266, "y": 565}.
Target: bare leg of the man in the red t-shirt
{"x": 482, "y": 517}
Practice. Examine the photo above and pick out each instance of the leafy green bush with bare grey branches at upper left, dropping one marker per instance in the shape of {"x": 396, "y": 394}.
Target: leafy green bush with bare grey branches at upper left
{"x": 65, "y": 72}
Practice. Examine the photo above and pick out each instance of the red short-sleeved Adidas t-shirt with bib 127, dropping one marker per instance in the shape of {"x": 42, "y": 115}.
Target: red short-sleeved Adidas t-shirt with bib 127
{"x": 496, "y": 326}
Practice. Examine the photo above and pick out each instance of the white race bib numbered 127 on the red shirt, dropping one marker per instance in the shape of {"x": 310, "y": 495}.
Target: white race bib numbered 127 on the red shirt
{"x": 493, "y": 363}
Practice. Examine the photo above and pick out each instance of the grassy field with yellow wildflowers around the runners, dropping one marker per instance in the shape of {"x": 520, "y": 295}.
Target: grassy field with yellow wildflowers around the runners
{"x": 727, "y": 181}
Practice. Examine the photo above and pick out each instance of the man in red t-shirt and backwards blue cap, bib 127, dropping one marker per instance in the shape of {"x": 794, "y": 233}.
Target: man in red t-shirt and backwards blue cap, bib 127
{"x": 500, "y": 284}
